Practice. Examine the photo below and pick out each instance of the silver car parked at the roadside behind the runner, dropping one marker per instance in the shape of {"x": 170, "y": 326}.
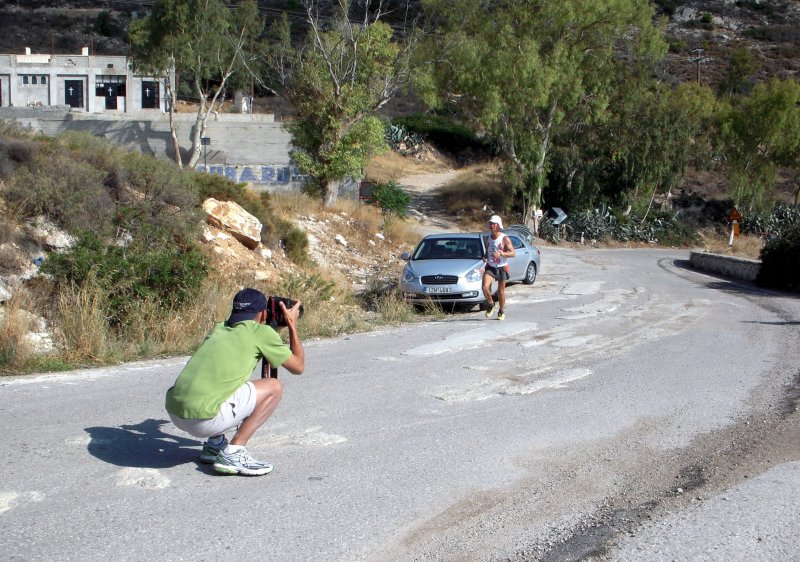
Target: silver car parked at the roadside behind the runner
{"x": 448, "y": 268}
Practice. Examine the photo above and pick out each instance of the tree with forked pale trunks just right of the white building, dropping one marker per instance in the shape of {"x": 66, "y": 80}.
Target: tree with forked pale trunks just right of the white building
{"x": 207, "y": 43}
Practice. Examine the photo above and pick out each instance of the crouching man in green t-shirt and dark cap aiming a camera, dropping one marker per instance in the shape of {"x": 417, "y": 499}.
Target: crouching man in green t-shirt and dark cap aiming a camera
{"x": 213, "y": 394}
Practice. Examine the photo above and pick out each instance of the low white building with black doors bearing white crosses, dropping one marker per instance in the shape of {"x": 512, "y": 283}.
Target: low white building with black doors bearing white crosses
{"x": 87, "y": 83}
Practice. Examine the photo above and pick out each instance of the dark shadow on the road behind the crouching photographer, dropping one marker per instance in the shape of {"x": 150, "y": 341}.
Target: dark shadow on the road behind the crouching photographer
{"x": 143, "y": 445}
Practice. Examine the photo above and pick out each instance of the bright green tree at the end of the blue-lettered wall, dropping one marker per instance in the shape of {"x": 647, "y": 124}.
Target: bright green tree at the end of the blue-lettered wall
{"x": 337, "y": 80}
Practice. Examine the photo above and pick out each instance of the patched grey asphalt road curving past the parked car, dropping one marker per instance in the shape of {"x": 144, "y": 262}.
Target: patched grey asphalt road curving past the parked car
{"x": 628, "y": 408}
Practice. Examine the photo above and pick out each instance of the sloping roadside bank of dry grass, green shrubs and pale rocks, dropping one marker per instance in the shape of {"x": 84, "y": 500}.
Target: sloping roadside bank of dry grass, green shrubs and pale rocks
{"x": 132, "y": 279}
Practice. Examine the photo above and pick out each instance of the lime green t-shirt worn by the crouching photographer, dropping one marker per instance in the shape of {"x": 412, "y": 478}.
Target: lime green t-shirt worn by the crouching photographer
{"x": 223, "y": 363}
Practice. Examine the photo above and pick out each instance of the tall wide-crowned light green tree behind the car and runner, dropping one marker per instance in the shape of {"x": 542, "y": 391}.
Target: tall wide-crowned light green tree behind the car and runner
{"x": 518, "y": 70}
